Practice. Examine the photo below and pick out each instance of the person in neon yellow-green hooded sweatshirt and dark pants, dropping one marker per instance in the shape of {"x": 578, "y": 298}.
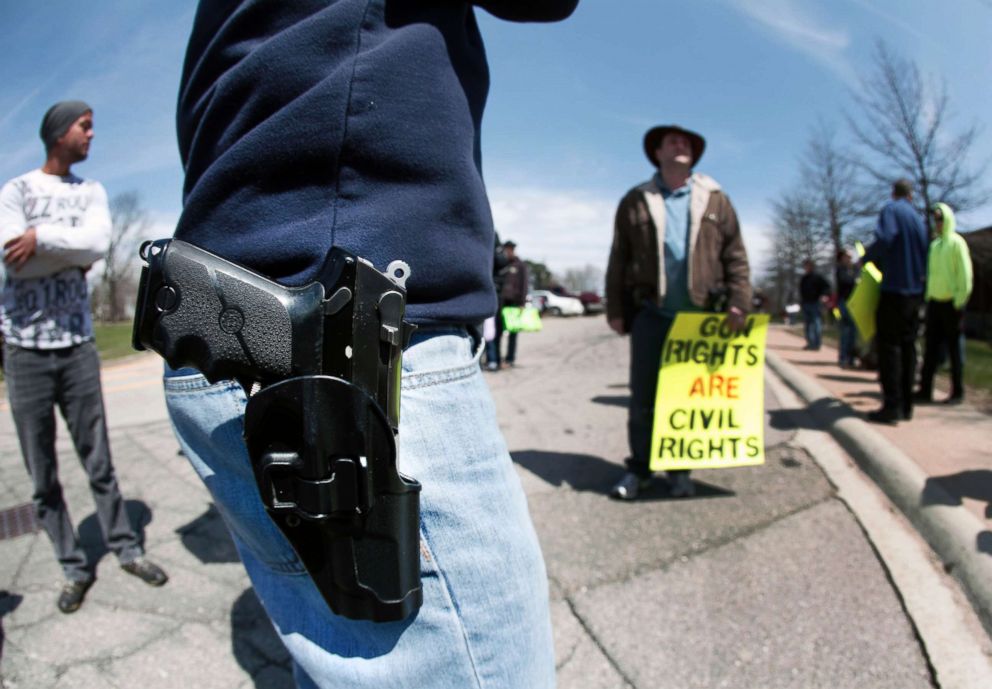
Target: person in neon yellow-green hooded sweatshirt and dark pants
{"x": 949, "y": 283}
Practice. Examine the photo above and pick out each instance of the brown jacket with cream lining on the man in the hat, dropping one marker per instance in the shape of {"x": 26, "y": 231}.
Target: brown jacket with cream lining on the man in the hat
{"x": 716, "y": 254}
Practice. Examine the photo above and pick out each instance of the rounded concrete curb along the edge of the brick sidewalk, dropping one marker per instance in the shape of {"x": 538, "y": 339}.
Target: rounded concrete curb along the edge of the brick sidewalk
{"x": 951, "y": 530}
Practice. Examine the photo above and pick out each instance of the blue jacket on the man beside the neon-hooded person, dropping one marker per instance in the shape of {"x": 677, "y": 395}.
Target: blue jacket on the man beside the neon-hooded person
{"x": 900, "y": 249}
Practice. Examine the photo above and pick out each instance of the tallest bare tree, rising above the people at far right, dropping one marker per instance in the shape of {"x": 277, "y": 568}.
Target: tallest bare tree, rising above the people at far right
{"x": 904, "y": 129}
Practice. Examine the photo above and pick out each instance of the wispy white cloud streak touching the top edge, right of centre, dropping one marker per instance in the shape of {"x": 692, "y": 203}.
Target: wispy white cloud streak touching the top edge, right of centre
{"x": 795, "y": 23}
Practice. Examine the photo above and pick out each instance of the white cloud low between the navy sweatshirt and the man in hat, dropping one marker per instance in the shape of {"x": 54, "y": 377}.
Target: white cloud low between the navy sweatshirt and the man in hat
{"x": 562, "y": 229}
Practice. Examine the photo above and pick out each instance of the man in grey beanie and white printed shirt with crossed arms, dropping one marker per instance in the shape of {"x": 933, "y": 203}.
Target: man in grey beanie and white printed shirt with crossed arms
{"x": 53, "y": 226}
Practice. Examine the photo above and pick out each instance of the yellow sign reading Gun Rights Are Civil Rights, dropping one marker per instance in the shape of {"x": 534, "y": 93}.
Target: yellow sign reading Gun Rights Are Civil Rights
{"x": 709, "y": 410}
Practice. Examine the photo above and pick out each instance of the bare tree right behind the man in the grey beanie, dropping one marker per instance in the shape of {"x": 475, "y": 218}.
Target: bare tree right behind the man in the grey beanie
{"x": 130, "y": 223}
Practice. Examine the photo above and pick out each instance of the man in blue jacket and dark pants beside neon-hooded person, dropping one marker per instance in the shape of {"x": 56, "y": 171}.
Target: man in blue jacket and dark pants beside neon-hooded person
{"x": 900, "y": 252}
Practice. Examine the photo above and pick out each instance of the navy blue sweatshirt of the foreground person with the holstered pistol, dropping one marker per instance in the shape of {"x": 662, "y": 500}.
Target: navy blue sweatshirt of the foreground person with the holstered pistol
{"x": 355, "y": 123}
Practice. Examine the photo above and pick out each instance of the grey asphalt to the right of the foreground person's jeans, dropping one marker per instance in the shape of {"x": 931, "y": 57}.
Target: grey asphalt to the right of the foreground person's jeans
{"x": 765, "y": 579}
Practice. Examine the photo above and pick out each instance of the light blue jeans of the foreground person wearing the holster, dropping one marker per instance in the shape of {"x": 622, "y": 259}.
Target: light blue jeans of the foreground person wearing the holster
{"x": 485, "y": 621}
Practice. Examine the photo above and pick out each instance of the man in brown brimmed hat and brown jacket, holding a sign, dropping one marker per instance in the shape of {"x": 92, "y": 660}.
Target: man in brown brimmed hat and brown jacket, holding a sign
{"x": 676, "y": 247}
